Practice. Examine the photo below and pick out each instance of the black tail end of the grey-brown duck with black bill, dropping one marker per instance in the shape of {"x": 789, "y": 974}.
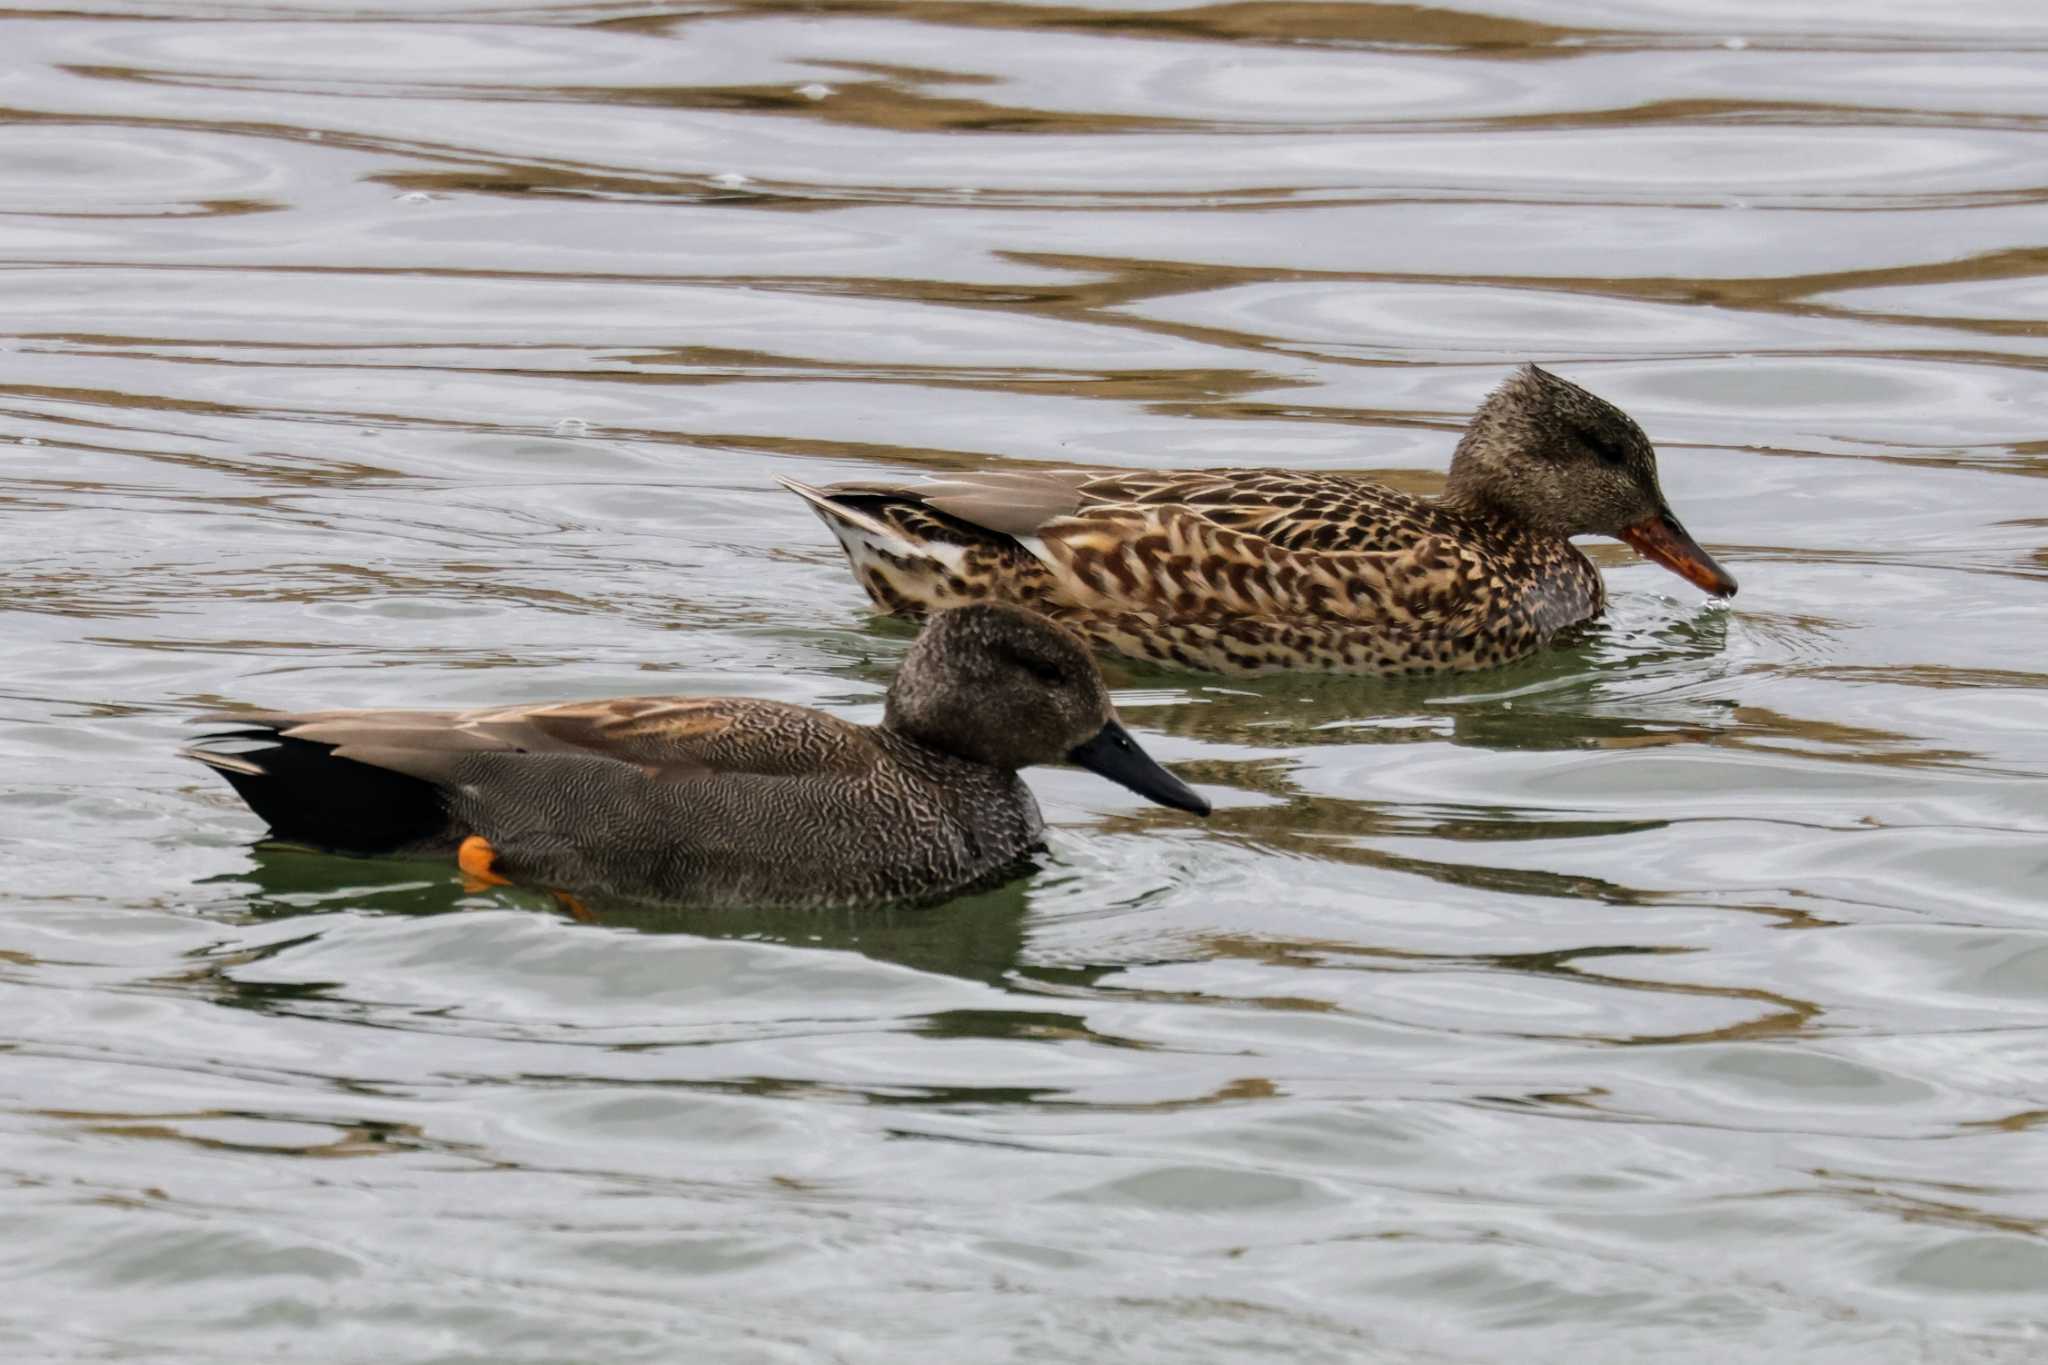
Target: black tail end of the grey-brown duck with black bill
{"x": 308, "y": 795}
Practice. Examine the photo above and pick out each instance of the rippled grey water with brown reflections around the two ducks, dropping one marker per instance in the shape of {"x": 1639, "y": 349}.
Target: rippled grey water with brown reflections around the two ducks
{"x": 1676, "y": 996}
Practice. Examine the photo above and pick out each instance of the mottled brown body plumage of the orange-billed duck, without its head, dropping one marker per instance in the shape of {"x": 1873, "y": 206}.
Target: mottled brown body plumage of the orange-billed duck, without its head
{"x": 1238, "y": 572}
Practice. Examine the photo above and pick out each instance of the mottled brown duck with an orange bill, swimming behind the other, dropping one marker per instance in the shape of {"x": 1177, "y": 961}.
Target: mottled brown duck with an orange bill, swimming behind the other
{"x": 1250, "y": 572}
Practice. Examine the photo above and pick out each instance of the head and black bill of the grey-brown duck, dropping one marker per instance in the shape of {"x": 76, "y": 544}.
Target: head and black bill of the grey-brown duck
{"x": 1009, "y": 689}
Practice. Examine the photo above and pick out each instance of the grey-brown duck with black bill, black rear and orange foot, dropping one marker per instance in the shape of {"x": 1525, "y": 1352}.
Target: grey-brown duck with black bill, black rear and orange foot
{"x": 712, "y": 801}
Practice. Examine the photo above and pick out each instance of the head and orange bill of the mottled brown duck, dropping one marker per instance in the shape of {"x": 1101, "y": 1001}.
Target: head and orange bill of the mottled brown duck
{"x": 1558, "y": 459}
